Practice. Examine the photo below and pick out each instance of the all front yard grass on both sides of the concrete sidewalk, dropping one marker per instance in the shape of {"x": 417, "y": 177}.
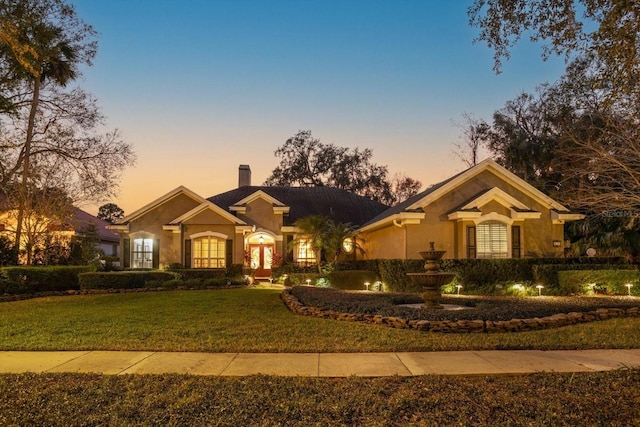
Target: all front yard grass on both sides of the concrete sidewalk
{"x": 256, "y": 320}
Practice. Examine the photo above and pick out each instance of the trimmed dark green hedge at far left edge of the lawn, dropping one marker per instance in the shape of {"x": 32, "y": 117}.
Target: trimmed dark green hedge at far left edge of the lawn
{"x": 42, "y": 279}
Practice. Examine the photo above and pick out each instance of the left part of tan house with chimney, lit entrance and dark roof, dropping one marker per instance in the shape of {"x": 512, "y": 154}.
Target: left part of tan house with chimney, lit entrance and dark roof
{"x": 250, "y": 224}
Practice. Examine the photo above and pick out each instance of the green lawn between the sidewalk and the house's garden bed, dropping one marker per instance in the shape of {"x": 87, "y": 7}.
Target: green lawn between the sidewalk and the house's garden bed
{"x": 251, "y": 320}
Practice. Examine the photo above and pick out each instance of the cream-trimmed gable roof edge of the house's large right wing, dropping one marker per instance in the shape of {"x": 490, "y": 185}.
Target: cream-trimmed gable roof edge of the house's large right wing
{"x": 433, "y": 193}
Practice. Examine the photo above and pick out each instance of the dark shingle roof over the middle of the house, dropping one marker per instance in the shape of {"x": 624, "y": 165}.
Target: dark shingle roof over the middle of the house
{"x": 340, "y": 205}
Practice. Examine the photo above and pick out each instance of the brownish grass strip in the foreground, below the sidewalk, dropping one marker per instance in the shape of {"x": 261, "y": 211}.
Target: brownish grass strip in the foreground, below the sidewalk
{"x": 583, "y": 399}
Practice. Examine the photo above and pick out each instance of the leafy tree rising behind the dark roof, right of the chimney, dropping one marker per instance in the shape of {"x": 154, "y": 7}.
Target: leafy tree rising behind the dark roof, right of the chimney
{"x": 307, "y": 162}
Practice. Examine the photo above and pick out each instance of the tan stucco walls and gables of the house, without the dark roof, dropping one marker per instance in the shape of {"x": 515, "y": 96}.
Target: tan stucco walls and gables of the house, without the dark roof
{"x": 486, "y": 197}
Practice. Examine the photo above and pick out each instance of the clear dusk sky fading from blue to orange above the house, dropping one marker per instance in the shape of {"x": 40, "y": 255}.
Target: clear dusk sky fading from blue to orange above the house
{"x": 198, "y": 87}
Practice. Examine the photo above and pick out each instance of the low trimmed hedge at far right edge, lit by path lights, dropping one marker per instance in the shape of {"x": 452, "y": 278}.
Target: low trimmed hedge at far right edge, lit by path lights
{"x": 599, "y": 281}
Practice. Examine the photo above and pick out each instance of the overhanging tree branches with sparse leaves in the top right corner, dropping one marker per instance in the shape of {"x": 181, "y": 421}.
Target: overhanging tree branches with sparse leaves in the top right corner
{"x": 604, "y": 33}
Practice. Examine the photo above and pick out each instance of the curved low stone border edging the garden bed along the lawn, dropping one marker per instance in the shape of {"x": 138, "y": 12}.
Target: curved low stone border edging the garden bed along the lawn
{"x": 462, "y": 326}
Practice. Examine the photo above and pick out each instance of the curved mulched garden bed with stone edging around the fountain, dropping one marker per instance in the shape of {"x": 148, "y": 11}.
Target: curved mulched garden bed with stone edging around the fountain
{"x": 489, "y": 314}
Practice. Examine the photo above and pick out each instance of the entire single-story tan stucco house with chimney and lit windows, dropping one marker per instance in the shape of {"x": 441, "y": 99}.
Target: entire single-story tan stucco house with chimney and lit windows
{"x": 483, "y": 212}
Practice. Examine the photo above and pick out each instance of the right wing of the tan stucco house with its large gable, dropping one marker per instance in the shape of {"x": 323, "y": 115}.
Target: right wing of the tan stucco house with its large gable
{"x": 483, "y": 212}
